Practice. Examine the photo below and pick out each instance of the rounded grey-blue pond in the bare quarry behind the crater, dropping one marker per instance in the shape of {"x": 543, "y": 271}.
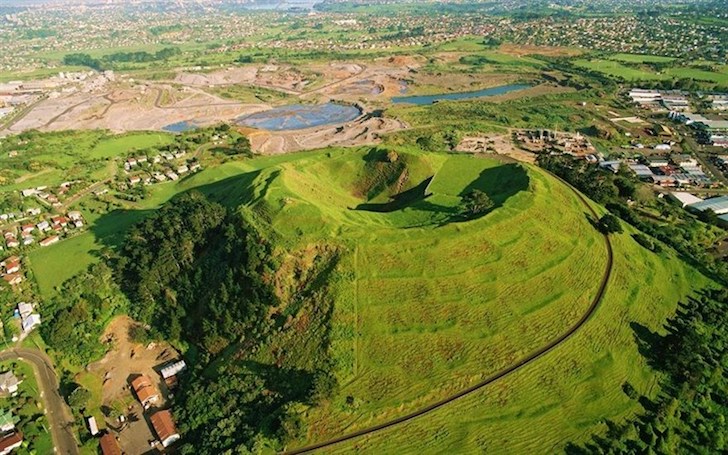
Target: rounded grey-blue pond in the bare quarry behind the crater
{"x": 299, "y": 116}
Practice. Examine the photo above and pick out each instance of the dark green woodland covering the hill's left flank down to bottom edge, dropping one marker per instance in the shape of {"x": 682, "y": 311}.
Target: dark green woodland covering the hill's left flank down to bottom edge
{"x": 200, "y": 274}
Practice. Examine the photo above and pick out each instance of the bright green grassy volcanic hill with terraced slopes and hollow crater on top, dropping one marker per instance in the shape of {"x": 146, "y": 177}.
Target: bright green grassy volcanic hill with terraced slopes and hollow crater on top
{"x": 425, "y": 304}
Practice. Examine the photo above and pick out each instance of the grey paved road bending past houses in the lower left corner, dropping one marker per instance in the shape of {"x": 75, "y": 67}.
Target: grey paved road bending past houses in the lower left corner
{"x": 59, "y": 416}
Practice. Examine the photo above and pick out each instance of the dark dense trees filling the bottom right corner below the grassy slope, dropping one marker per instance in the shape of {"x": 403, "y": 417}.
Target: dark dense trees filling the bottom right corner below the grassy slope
{"x": 689, "y": 415}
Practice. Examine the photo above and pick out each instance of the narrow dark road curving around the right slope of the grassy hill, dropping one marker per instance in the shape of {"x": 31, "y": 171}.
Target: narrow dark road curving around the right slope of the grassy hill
{"x": 498, "y": 375}
